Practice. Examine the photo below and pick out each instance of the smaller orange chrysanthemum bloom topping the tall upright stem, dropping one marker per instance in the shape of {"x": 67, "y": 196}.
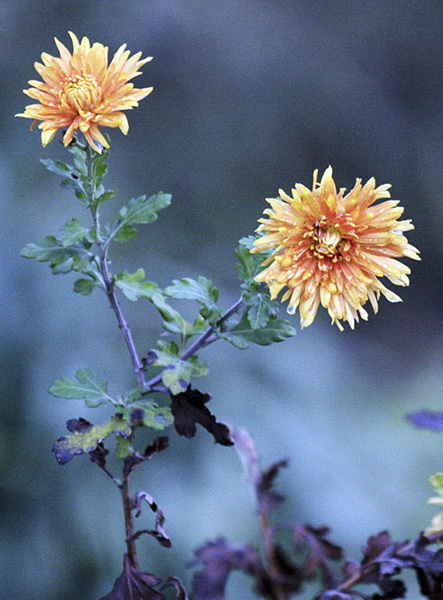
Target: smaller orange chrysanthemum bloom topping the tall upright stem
{"x": 81, "y": 91}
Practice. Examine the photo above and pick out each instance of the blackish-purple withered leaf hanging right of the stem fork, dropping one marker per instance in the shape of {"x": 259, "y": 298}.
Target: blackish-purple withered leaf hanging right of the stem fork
{"x": 188, "y": 409}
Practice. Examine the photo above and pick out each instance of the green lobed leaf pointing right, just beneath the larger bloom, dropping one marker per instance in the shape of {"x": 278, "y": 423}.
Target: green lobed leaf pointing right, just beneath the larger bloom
{"x": 241, "y": 335}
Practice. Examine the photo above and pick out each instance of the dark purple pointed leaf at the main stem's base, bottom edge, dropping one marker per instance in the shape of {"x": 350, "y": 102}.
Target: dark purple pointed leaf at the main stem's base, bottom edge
{"x": 134, "y": 585}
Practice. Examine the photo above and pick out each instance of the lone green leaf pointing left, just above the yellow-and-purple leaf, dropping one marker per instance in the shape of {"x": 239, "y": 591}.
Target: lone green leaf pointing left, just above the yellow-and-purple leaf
{"x": 87, "y": 386}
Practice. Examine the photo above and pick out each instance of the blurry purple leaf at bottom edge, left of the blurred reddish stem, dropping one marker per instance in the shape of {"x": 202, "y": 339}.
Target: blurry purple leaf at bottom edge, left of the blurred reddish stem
{"x": 218, "y": 559}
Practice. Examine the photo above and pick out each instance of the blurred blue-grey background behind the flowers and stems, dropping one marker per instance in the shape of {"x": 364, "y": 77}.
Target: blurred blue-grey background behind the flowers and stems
{"x": 249, "y": 97}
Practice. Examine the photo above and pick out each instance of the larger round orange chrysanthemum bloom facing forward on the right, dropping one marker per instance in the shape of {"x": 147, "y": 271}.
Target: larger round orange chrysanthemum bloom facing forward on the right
{"x": 329, "y": 248}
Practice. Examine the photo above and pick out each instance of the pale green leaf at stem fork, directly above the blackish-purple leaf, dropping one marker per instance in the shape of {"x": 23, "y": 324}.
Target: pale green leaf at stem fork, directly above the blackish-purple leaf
{"x": 177, "y": 373}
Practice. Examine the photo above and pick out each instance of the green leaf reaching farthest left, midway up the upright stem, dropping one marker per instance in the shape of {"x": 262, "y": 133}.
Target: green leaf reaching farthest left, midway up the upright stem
{"x": 61, "y": 259}
